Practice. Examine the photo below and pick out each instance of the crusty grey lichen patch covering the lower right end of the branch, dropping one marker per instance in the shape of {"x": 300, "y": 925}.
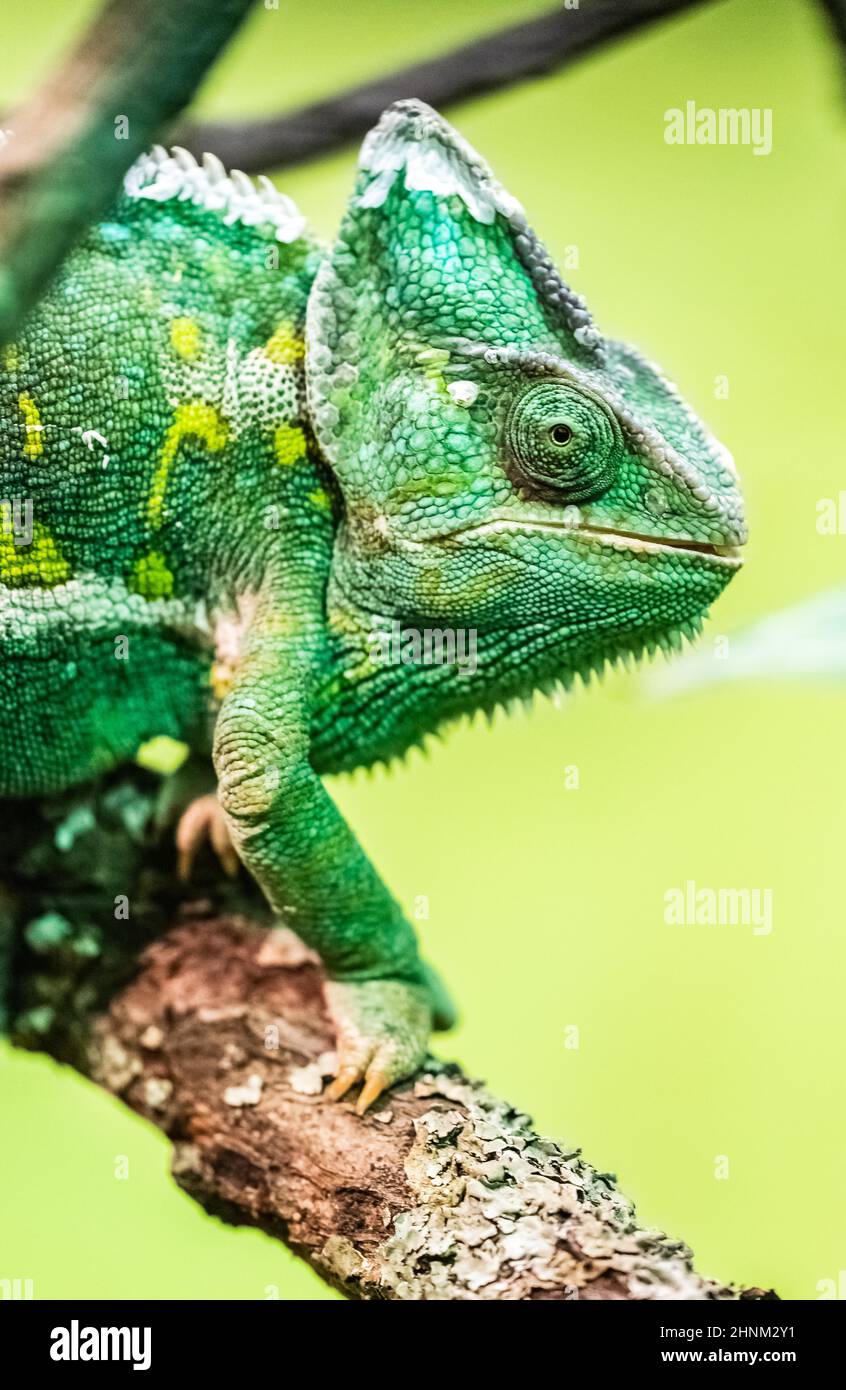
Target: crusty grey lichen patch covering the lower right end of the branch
{"x": 502, "y": 1214}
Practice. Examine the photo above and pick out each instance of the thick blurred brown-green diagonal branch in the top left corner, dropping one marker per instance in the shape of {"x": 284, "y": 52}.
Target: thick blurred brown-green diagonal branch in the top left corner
{"x": 142, "y": 60}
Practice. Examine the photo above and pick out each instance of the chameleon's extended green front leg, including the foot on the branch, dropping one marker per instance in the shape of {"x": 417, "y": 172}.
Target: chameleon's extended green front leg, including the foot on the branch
{"x": 299, "y": 849}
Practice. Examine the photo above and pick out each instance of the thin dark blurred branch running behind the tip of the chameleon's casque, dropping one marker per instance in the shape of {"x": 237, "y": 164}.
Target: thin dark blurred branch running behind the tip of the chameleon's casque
{"x": 524, "y": 51}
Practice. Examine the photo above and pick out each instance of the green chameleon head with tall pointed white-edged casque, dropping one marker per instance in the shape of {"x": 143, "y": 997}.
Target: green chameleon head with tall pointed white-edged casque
{"x": 502, "y": 465}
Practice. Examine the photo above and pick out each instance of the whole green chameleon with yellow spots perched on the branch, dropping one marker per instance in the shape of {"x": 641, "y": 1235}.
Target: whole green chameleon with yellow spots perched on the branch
{"x": 297, "y": 447}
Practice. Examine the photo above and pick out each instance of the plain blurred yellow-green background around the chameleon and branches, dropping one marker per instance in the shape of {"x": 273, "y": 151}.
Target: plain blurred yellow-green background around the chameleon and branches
{"x": 547, "y": 904}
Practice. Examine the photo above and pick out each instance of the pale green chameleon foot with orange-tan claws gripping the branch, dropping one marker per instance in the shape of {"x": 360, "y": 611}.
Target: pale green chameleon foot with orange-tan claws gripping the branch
{"x": 383, "y": 1031}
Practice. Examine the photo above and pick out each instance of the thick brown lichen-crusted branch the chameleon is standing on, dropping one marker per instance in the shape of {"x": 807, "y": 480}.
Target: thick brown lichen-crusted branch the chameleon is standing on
{"x": 216, "y": 1032}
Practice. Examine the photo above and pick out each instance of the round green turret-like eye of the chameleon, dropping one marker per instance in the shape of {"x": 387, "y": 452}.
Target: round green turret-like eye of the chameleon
{"x": 565, "y": 440}
